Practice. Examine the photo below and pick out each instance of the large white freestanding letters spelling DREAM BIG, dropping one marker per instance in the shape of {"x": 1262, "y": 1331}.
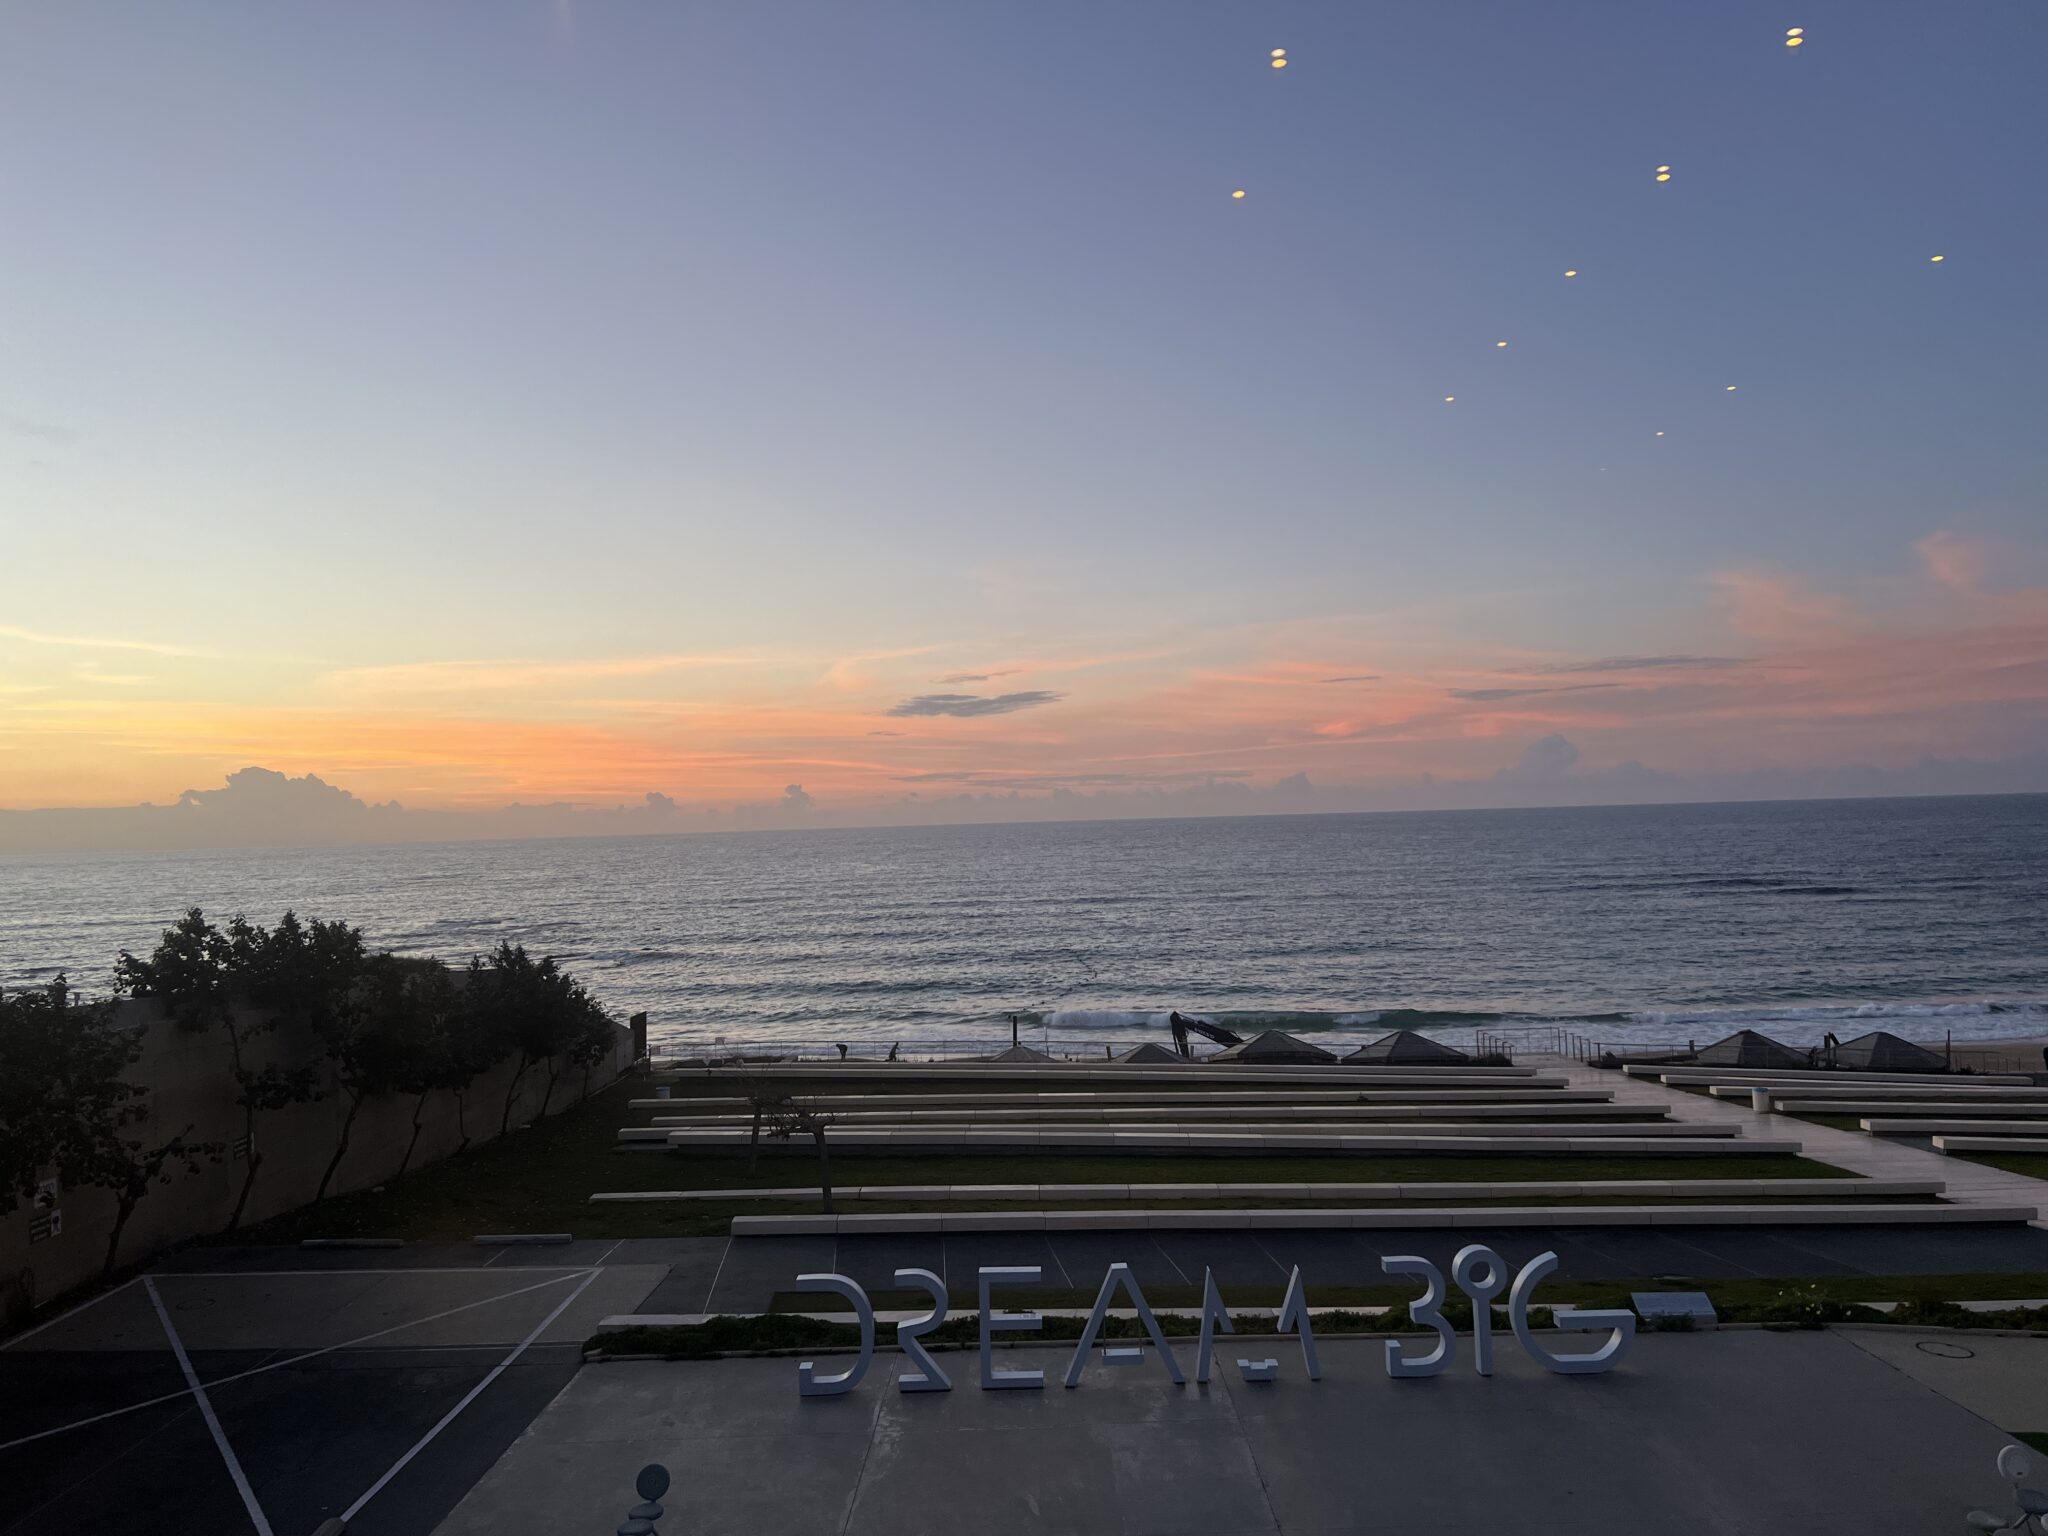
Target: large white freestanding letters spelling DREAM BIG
{"x": 1476, "y": 1271}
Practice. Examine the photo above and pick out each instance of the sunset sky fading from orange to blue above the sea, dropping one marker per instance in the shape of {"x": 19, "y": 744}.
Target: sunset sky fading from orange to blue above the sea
{"x": 892, "y": 411}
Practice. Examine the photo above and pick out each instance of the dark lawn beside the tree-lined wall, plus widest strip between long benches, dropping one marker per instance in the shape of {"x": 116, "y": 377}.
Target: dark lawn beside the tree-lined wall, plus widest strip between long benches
{"x": 542, "y": 1181}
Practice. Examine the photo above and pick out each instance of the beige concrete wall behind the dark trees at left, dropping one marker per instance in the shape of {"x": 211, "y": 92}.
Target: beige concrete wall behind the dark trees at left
{"x": 191, "y": 1084}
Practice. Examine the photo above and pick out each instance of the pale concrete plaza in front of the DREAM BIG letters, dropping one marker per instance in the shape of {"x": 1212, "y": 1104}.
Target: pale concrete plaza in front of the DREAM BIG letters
{"x": 1734, "y": 1435}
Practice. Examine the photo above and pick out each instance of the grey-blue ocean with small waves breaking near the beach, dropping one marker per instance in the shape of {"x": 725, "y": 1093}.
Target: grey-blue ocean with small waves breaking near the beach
{"x": 1625, "y": 925}
